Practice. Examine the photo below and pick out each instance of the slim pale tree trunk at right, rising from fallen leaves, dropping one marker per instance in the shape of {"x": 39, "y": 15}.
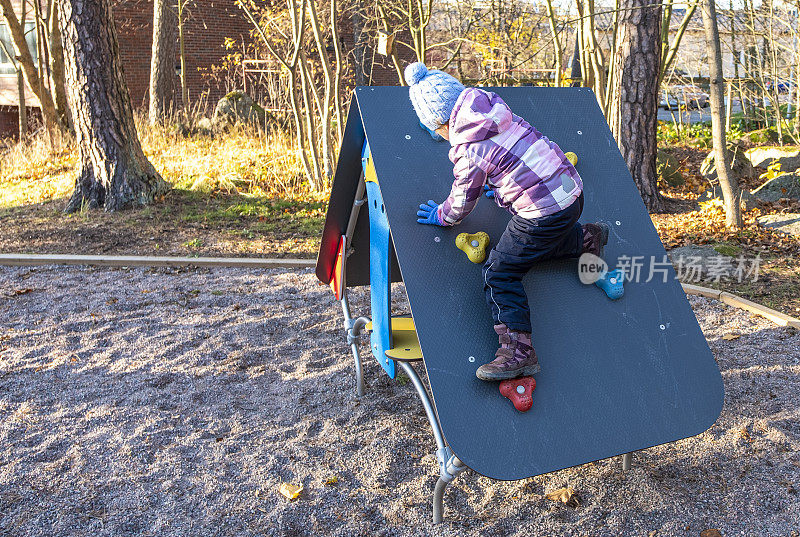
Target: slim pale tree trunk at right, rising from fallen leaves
{"x": 727, "y": 182}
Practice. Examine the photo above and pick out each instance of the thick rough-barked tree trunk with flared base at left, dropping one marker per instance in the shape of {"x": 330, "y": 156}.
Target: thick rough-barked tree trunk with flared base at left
{"x": 114, "y": 174}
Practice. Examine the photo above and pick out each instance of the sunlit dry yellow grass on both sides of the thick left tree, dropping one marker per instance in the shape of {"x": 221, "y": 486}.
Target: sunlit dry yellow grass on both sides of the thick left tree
{"x": 245, "y": 160}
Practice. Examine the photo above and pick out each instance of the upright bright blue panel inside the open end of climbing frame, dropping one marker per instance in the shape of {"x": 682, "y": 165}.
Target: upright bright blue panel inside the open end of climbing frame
{"x": 379, "y": 249}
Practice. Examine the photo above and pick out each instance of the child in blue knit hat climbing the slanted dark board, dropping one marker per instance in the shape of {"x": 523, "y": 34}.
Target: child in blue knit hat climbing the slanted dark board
{"x": 494, "y": 150}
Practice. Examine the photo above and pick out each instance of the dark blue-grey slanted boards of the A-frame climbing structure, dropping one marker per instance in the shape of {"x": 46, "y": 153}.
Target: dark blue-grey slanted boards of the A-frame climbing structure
{"x": 617, "y": 376}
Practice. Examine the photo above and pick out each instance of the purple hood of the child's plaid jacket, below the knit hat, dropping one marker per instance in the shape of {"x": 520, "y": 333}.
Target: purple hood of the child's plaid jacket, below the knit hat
{"x": 478, "y": 115}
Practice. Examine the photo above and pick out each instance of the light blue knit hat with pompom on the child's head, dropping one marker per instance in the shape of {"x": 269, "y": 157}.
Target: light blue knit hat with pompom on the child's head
{"x": 433, "y": 94}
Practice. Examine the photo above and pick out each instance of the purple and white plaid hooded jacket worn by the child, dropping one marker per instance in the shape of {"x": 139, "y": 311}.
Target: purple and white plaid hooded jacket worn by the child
{"x": 529, "y": 174}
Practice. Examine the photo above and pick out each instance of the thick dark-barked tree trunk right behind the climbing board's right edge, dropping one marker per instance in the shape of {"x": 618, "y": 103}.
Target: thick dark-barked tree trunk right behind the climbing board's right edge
{"x": 633, "y": 110}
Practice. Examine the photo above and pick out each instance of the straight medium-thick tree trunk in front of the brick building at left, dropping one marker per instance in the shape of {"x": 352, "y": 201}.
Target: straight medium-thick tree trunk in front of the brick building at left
{"x": 162, "y": 62}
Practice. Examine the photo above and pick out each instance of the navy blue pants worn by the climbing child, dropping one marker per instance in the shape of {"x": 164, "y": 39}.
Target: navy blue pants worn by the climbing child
{"x": 525, "y": 242}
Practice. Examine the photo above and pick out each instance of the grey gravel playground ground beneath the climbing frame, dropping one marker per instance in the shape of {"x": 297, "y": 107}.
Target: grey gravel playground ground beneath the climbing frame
{"x": 174, "y": 402}
